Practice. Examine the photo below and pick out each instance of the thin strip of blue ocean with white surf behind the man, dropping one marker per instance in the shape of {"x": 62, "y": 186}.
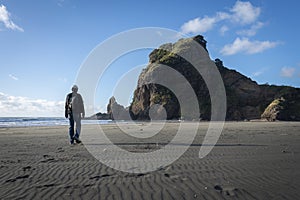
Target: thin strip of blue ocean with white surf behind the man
{"x": 42, "y": 121}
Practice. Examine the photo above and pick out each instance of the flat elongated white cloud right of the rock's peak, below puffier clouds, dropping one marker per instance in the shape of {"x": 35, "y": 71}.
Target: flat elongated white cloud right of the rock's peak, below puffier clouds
{"x": 244, "y": 45}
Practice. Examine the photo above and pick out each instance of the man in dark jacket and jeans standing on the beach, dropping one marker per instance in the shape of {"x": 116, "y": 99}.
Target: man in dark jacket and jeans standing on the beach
{"x": 74, "y": 110}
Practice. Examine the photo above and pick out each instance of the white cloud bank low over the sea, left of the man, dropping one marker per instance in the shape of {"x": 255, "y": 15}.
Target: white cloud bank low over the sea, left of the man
{"x": 15, "y": 106}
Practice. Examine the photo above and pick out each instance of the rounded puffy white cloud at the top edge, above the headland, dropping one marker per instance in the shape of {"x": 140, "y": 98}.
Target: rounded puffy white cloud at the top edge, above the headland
{"x": 245, "y": 12}
